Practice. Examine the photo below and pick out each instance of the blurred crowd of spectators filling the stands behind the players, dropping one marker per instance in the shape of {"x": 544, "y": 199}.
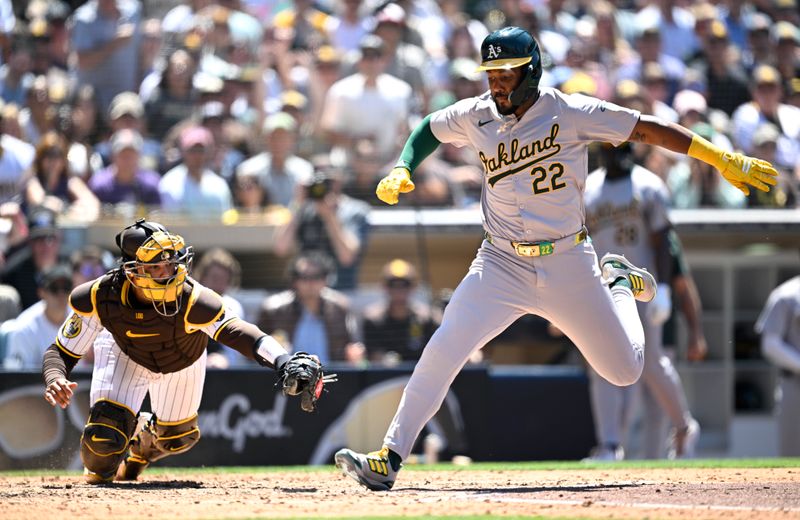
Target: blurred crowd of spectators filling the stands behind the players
{"x": 216, "y": 110}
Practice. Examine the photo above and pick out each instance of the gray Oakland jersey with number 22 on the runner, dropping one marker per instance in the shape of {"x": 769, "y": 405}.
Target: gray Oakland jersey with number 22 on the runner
{"x": 534, "y": 168}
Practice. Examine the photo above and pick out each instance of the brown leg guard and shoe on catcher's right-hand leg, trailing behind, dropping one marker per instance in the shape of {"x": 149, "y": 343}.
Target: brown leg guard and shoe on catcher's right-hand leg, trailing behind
{"x": 158, "y": 440}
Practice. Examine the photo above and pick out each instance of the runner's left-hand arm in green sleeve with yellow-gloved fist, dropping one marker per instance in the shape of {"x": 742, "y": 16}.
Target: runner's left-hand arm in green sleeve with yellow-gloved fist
{"x": 420, "y": 144}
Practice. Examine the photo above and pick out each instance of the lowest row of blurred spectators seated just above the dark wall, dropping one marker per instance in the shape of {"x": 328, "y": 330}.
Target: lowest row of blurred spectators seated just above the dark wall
{"x": 309, "y": 315}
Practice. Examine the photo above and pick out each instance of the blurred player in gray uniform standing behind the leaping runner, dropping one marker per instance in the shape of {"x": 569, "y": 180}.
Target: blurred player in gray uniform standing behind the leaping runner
{"x": 626, "y": 212}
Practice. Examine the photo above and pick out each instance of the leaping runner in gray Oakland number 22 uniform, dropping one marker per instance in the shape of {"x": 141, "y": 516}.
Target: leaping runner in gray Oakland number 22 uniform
{"x": 532, "y": 142}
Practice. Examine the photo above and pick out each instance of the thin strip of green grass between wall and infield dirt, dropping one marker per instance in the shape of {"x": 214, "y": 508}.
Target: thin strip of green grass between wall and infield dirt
{"x": 478, "y": 466}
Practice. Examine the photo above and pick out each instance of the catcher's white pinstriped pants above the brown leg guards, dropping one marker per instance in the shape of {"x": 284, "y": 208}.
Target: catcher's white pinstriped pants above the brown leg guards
{"x": 173, "y": 397}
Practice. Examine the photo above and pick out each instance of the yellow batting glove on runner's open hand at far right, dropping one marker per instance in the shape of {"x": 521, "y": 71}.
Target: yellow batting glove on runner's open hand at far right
{"x": 738, "y": 169}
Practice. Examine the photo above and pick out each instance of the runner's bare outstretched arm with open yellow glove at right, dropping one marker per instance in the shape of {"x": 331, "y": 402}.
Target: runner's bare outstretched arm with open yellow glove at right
{"x": 738, "y": 169}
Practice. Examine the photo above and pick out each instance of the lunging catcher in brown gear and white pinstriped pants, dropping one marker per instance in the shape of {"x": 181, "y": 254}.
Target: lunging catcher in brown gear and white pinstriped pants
{"x": 149, "y": 323}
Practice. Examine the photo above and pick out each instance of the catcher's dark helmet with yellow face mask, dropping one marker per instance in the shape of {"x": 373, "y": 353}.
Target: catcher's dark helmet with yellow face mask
{"x": 148, "y": 244}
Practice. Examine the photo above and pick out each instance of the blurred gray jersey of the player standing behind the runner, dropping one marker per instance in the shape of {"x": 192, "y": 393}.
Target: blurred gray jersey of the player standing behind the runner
{"x": 621, "y": 214}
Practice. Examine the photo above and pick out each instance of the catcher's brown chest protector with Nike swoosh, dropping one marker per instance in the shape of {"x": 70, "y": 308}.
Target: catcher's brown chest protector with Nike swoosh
{"x": 158, "y": 343}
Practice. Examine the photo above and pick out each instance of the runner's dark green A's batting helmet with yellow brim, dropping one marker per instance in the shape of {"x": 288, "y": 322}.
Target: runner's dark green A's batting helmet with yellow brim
{"x": 513, "y": 47}
